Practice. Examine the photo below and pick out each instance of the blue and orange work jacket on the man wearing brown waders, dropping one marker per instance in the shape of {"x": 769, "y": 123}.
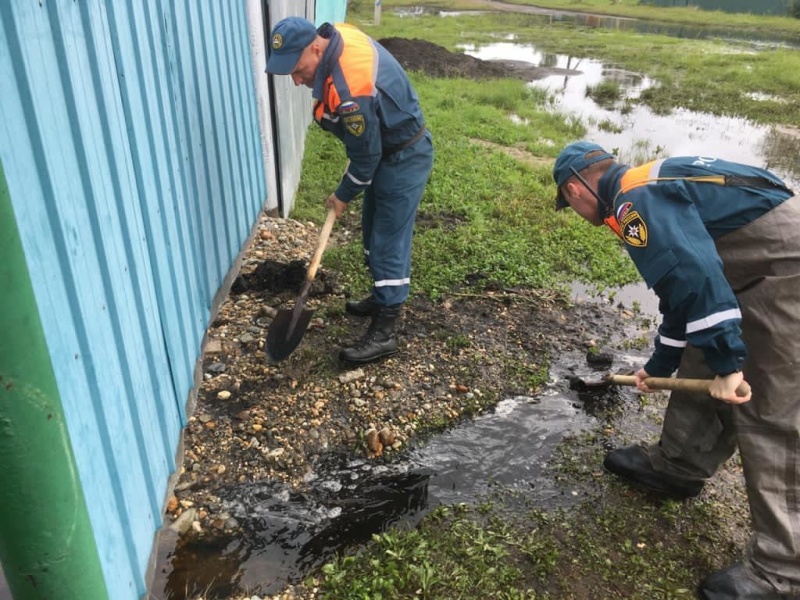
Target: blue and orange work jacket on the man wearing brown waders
{"x": 668, "y": 213}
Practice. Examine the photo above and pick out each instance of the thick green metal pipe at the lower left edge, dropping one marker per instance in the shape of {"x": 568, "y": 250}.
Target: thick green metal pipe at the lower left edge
{"x": 47, "y": 546}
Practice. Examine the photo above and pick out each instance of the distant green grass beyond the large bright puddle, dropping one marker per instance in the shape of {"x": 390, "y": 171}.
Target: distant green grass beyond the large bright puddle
{"x": 706, "y": 76}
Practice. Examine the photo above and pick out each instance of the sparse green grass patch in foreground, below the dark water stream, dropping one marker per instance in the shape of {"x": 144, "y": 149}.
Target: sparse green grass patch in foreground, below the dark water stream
{"x": 648, "y": 550}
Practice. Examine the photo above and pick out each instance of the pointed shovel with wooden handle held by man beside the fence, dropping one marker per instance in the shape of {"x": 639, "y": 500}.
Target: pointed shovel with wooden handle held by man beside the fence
{"x": 289, "y": 326}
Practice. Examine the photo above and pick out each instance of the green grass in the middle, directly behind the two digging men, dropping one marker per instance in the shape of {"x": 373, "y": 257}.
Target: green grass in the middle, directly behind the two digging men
{"x": 485, "y": 215}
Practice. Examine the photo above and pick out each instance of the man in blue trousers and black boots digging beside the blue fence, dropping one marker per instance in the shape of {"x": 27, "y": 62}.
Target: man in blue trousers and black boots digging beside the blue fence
{"x": 363, "y": 96}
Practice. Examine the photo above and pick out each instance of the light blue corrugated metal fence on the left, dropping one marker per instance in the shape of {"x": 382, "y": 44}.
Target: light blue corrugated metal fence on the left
{"x": 131, "y": 147}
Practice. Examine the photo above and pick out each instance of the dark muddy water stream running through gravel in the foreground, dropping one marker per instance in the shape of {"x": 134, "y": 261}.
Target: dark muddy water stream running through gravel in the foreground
{"x": 286, "y": 533}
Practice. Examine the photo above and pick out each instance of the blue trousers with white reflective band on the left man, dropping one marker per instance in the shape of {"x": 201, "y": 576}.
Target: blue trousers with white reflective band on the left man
{"x": 396, "y": 190}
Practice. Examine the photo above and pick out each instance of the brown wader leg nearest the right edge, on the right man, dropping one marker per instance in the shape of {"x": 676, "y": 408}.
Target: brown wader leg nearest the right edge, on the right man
{"x": 763, "y": 260}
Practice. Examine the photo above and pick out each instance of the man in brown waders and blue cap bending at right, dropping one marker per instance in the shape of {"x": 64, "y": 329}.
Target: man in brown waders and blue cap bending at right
{"x": 718, "y": 242}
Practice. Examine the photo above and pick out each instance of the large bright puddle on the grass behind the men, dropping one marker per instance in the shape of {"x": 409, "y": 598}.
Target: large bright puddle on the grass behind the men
{"x": 635, "y": 133}
